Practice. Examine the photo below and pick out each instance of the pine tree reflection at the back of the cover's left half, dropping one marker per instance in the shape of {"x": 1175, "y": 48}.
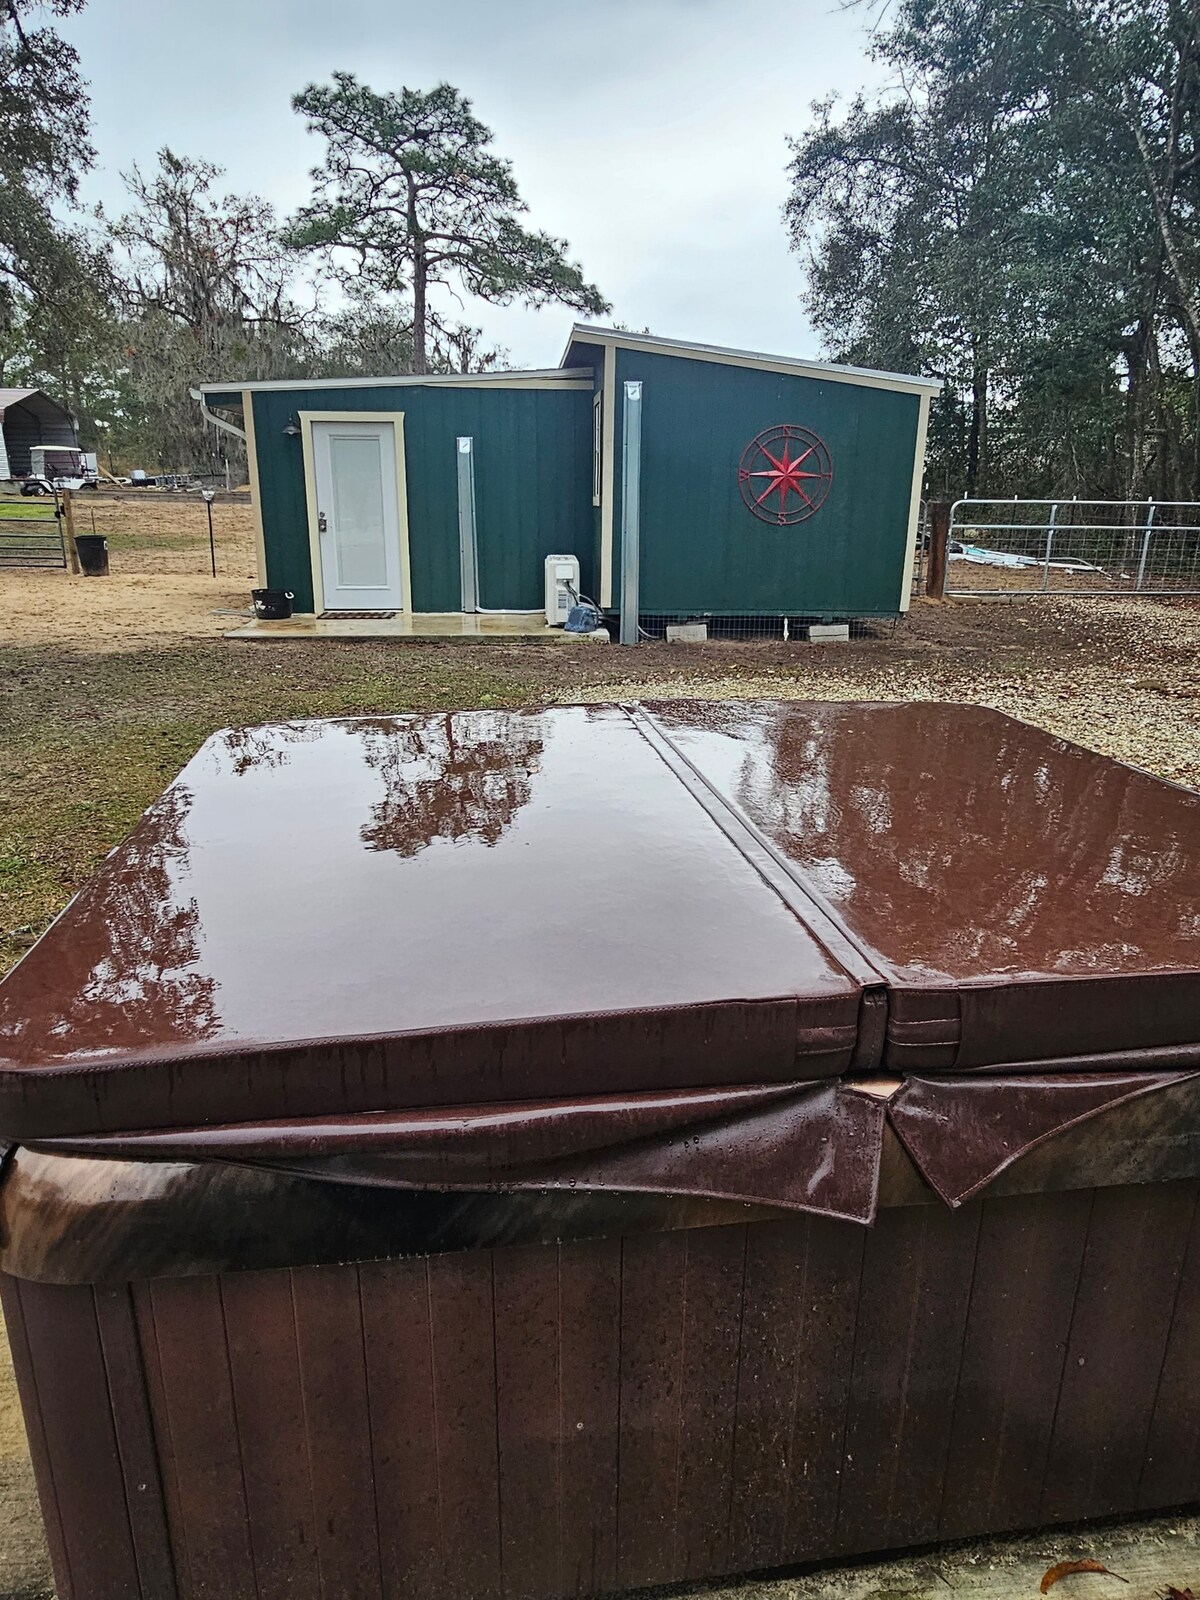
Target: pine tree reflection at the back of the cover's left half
{"x": 454, "y": 778}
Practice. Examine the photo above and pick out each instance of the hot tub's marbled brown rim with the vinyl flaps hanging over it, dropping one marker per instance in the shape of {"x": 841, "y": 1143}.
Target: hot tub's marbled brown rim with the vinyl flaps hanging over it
{"x": 252, "y": 1196}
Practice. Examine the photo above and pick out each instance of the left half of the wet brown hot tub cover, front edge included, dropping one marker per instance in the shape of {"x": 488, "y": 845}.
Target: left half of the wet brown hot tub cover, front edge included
{"x": 401, "y": 878}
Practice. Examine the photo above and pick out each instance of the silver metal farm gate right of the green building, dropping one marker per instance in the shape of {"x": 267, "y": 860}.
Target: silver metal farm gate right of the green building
{"x": 1028, "y": 548}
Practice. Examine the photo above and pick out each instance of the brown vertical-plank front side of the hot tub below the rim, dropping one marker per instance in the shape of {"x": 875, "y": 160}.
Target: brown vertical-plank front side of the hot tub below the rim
{"x": 550, "y": 1422}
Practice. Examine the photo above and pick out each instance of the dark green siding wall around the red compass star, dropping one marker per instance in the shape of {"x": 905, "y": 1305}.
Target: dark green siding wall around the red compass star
{"x": 702, "y": 548}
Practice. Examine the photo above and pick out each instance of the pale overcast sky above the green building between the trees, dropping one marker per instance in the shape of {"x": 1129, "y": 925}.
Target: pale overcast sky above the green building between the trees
{"x": 649, "y": 134}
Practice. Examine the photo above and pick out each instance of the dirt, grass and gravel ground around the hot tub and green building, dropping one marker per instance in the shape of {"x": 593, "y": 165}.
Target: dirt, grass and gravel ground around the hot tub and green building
{"x": 108, "y": 686}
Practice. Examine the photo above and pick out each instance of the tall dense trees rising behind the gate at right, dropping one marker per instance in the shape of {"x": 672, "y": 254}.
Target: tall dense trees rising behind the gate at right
{"x": 1018, "y": 215}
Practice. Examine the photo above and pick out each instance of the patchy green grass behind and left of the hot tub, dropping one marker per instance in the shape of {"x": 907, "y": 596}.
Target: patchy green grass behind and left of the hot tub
{"x": 89, "y": 742}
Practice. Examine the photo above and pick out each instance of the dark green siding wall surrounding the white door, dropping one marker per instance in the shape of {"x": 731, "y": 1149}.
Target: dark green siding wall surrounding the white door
{"x": 534, "y": 487}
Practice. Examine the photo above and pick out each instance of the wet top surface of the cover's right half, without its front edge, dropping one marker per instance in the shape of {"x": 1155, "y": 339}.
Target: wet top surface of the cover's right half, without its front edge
{"x": 959, "y": 842}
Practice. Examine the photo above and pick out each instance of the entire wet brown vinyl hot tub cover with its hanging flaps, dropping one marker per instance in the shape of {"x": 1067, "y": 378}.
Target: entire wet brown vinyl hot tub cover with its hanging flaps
{"x": 660, "y": 950}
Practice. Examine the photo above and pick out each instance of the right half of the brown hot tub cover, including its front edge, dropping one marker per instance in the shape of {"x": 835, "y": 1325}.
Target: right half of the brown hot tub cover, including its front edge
{"x": 1025, "y": 902}
